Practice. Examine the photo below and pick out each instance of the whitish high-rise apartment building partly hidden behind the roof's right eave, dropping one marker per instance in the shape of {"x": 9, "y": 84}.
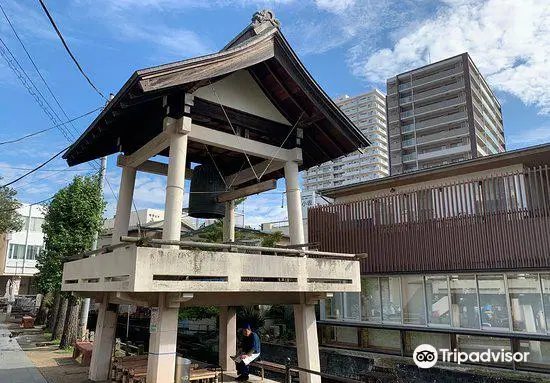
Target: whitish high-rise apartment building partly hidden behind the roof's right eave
{"x": 368, "y": 112}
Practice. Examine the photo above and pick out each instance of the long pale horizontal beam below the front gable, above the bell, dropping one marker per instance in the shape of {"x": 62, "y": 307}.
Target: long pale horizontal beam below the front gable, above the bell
{"x": 235, "y": 143}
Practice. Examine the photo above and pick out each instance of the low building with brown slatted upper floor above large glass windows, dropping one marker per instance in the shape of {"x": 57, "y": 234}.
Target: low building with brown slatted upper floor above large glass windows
{"x": 455, "y": 256}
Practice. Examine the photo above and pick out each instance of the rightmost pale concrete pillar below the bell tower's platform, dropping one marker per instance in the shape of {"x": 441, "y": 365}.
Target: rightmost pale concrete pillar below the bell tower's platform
{"x": 306, "y": 341}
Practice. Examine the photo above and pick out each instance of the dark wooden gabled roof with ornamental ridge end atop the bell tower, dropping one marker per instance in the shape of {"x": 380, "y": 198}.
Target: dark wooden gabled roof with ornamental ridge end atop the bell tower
{"x": 135, "y": 114}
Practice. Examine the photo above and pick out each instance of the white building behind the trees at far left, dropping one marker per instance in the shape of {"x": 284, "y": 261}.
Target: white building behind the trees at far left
{"x": 17, "y": 262}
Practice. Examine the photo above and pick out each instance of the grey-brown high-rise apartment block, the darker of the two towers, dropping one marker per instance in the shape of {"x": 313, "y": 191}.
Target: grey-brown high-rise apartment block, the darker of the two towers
{"x": 441, "y": 113}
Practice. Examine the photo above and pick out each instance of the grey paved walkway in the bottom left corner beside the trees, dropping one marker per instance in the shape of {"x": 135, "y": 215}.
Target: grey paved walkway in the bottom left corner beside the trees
{"x": 15, "y": 366}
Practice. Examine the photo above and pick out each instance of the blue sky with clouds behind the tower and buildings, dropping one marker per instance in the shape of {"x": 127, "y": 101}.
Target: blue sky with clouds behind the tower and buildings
{"x": 349, "y": 46}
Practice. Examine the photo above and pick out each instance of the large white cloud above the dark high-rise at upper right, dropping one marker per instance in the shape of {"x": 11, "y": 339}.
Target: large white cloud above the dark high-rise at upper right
{"x": 508, "y": 40}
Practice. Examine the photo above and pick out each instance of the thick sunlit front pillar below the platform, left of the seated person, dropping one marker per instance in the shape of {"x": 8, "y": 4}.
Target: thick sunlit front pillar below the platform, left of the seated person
{"x": 161, "y": 363}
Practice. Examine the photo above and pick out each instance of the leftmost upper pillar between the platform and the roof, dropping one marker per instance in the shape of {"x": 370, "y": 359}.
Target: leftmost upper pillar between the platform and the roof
{"x": 124, "y": 204}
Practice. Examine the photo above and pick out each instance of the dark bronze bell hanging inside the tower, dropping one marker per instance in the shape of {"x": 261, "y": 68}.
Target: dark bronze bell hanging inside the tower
{"x": 206, "y": 185}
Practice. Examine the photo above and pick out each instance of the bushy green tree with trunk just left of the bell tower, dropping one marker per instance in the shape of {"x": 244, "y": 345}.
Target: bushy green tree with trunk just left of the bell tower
{"x": 72, "y": 218}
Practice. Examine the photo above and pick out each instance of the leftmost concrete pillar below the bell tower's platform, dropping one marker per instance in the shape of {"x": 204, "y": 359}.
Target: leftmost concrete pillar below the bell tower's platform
{"x": 100, "y": 365}
